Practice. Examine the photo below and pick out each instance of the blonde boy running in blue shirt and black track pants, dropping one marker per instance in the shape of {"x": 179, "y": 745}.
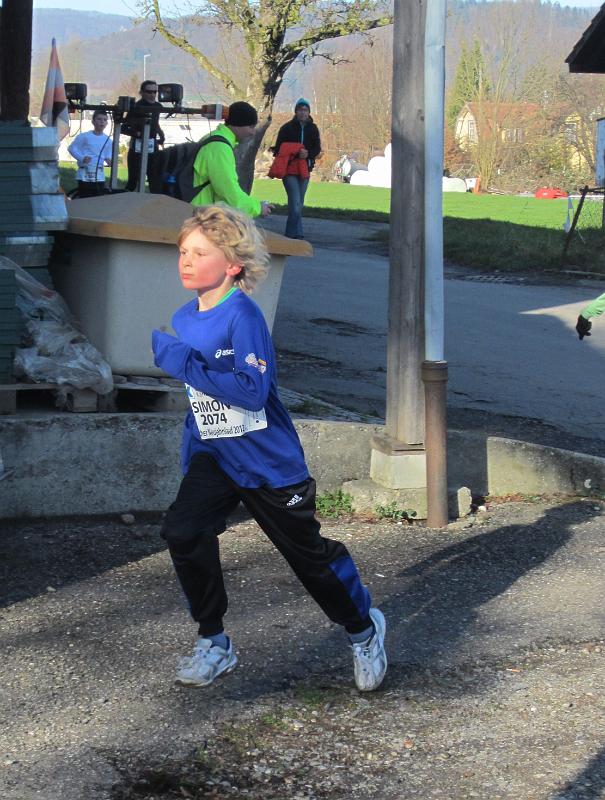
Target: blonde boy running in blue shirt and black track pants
{"x": 239, "y": 444}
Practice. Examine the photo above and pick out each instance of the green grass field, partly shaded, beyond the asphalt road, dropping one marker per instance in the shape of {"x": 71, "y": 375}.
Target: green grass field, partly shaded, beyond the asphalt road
{"x": 489, "y": 232}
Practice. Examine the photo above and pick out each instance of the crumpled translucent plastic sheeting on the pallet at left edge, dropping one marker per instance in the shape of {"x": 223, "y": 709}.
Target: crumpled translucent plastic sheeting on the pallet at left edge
{"x": 59, "y": 353}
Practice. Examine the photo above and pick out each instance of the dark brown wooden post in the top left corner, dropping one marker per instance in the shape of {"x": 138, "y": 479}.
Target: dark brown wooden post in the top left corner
{"x": 15, "y": 59}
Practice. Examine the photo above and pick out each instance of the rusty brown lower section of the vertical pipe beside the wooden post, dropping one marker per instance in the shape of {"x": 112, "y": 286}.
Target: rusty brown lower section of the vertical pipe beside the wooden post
{"x": 434, "y": 376}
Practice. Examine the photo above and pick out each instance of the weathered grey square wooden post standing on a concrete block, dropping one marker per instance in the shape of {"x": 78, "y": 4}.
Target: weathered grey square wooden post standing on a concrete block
{"x": 405, "y": 349}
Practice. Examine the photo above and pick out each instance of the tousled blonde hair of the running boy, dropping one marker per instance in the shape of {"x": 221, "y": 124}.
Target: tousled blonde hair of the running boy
{"x": 237, "y": 236}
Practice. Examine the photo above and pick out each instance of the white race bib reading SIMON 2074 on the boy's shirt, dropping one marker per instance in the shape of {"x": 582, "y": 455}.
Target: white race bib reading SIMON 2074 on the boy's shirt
{"x": 216, "y": 420}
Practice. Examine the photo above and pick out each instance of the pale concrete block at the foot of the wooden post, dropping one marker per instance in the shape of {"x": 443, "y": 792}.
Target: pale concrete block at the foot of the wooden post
{"x": 397, "y": 465}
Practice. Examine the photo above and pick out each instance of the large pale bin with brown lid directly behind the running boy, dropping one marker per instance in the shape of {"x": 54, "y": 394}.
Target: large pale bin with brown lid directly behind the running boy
{"x": 117, "y": 271}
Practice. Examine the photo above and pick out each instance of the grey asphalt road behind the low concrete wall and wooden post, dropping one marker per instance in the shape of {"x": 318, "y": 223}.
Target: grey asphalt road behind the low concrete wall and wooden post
{"x": 511, "y": 346}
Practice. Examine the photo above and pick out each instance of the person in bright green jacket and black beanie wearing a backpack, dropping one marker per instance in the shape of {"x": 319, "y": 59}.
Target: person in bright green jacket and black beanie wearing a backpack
{"x": 214, "y": 168}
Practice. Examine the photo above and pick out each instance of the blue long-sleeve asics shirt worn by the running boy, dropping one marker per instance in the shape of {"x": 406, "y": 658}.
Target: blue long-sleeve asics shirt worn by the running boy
{"x": 227, "y": 353}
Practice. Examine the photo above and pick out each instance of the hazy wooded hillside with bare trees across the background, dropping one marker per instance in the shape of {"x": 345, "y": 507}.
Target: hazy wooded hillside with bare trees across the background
{"x": 519, "y": 48}
